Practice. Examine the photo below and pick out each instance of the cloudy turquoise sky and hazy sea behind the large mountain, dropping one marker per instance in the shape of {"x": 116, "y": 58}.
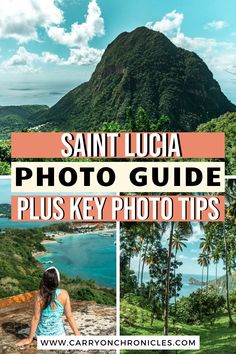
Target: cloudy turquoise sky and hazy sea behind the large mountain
{"x": 49, "y": 47}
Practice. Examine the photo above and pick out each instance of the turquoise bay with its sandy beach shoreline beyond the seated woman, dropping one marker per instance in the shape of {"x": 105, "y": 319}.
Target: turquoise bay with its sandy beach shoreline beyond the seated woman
{"x": 82, "y": 267}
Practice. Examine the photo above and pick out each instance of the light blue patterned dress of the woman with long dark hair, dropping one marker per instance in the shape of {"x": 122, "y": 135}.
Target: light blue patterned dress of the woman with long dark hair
{"x": 51, "y": 322}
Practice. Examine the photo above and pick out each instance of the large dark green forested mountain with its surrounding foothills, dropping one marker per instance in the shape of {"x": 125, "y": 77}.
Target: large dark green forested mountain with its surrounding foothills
{"x": 142, "y": 70}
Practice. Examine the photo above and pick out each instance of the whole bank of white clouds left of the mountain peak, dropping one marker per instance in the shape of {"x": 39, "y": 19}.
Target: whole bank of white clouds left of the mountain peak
{"x": 47, "y": 14}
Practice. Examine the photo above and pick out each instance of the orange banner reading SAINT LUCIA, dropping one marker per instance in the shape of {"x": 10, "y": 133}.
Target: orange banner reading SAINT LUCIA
{"x": 118, "y": 145}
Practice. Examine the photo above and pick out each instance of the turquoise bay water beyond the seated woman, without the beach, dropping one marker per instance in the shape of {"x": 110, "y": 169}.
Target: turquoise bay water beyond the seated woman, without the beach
{"x": 89, "y": 256}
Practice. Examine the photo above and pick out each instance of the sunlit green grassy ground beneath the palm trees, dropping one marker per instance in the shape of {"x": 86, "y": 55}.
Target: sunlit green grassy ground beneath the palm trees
{"x": 215, "y": 339}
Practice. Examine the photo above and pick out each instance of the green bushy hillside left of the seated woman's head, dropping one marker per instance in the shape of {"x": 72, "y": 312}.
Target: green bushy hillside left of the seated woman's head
{"x": 19, "y": 271}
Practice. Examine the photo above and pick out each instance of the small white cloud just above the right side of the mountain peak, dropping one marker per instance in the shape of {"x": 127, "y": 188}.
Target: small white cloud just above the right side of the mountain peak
{"x": 170, "y": 23}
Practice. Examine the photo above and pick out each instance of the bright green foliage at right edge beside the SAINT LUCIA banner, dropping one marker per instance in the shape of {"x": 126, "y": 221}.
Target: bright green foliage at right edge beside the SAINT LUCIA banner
{"x": 226, "y": 124}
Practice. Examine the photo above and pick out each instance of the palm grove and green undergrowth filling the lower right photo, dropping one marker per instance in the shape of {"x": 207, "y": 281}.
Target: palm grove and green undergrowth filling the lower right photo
{"x": 154, "y": 307}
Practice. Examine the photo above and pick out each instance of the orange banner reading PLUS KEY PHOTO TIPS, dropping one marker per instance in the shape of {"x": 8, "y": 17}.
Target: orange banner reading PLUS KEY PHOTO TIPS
{"x": 118, "y": 208}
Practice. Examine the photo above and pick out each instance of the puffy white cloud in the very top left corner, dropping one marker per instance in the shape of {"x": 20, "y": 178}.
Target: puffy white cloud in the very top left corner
{"x": 19, "y": 19}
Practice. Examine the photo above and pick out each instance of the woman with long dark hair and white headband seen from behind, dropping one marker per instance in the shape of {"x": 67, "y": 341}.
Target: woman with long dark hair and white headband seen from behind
{"x": 49, "y": 306}
